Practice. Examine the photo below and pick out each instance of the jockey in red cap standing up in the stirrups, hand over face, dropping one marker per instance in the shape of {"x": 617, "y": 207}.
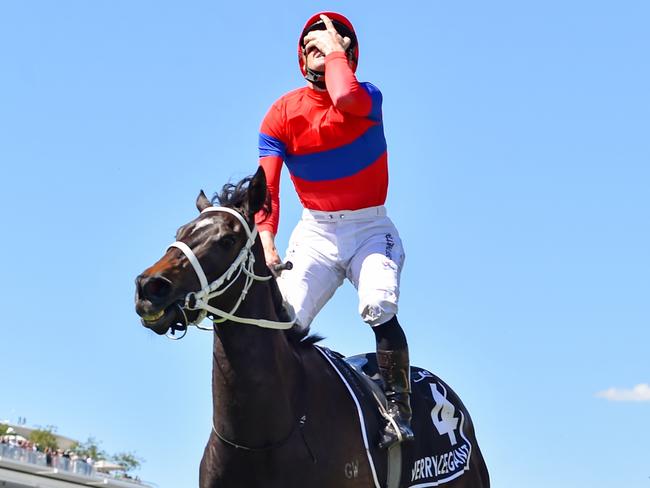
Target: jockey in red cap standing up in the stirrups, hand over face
{"x": 330, "y": 135}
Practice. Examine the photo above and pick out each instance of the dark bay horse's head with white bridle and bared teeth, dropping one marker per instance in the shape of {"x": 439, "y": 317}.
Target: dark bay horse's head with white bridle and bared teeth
{"x": 207, "y": 252}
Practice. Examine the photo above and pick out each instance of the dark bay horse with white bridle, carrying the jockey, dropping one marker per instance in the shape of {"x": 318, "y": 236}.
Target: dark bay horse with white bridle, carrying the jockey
{"x": 282, "y": 417}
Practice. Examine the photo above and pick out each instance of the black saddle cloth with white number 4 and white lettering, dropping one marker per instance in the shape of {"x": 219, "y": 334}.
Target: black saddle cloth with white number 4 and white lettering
{"x": 444, "y": 435}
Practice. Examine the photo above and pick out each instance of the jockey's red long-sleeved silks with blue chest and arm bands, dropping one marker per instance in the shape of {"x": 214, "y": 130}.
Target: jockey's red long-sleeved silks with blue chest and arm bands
{"x": 331, "y": 141}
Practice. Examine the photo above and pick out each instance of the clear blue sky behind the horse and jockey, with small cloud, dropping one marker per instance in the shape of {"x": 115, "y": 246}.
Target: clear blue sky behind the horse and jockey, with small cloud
{"x": 519, "y": 153}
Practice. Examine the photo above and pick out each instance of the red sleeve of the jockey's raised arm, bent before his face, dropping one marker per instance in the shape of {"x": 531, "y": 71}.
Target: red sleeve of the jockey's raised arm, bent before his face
{"x": 346, "y": 92}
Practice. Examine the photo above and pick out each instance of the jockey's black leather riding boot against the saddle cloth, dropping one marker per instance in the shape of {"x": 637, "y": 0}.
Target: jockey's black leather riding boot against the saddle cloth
{"x": 394, "y": 370}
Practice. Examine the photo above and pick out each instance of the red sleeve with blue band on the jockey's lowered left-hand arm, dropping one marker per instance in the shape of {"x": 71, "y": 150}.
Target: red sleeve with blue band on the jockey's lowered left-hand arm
{"x": 272, "y": 151}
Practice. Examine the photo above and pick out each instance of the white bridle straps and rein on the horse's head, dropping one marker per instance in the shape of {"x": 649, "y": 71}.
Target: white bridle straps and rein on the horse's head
{"x": 243, "y": 263}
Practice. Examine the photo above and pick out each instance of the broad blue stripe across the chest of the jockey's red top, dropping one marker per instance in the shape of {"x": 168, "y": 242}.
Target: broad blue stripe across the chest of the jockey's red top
{"x": 341, "y": 161}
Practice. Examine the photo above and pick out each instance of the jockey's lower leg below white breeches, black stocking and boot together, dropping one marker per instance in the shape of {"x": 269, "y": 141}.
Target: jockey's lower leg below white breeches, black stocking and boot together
{"x": 394, "y": 368}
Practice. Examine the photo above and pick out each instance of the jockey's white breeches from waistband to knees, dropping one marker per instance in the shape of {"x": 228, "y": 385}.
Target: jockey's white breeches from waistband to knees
{"x": 327, "y": 247}
